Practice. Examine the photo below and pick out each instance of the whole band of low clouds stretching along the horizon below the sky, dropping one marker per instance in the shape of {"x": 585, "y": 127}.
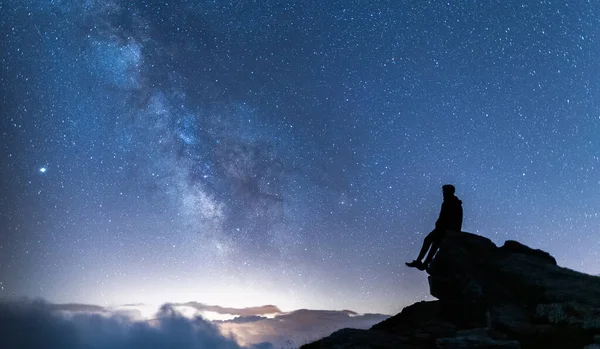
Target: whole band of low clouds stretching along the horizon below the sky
{"x": 37, "y": 324}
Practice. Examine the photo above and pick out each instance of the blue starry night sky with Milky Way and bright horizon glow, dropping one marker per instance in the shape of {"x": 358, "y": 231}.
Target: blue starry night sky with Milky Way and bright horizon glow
{"x": 290, "y": 153}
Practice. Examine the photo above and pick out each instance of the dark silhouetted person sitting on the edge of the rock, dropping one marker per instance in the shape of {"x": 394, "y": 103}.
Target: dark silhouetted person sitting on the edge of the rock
{"x": 450, "y": 219}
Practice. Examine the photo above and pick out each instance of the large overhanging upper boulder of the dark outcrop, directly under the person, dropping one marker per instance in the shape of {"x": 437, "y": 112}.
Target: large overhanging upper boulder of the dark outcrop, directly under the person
{"x": 471, "y": 267}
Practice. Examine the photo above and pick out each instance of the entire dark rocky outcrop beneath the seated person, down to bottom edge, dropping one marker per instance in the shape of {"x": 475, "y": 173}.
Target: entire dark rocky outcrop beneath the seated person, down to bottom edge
{"x": 508, "y": 297}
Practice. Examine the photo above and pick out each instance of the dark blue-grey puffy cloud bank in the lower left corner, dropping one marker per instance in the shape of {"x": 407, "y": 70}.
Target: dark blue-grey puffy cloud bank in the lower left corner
{"x": 36, "y": 324}
